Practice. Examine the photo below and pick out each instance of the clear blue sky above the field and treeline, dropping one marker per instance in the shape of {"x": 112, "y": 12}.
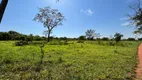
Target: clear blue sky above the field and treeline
{"x": 104, "y": 16}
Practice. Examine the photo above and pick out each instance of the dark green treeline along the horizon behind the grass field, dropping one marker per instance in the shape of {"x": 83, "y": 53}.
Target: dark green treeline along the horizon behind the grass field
{"x": 13, "y": 35}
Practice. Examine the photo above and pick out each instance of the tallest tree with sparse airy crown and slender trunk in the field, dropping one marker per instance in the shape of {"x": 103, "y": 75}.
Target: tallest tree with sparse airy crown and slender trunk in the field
{"x": 50, "y": 18}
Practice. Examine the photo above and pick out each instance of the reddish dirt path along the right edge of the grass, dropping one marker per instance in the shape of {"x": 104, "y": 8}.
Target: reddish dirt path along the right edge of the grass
{"x": 139, "y": 68}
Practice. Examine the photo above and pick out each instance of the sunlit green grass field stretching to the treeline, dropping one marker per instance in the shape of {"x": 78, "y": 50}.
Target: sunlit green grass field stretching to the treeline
{"x": 75, "y": 61}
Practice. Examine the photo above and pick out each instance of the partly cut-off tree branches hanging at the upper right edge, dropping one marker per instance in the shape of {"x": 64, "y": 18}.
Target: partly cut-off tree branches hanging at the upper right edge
{"x": 136, "y": 18}
